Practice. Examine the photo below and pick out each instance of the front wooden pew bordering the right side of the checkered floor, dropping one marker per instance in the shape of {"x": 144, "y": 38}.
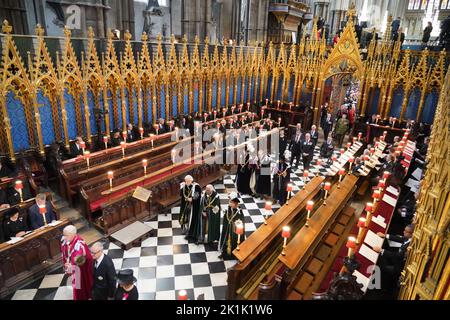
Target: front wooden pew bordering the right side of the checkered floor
{"x": 256, "y": 250}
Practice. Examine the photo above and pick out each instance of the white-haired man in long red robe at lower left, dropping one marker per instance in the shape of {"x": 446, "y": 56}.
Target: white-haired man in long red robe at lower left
{"x": 78, "y": 263}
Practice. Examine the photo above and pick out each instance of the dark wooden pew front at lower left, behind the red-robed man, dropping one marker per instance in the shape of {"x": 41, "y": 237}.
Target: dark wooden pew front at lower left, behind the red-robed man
{"x": 31, "y": 258}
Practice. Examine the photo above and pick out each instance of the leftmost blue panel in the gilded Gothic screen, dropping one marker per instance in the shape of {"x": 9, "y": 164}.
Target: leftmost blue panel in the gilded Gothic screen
{"x": 19, "y": 131}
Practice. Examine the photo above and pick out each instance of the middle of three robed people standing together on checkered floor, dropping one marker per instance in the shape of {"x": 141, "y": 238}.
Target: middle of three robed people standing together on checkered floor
{"x": 211, "y": 212}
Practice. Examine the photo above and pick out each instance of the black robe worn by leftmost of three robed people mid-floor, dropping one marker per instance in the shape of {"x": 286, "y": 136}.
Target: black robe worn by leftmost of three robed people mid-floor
{"x": 190, "y": 213}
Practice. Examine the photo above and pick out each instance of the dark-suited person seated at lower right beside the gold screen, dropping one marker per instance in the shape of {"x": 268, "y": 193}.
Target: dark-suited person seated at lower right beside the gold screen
{"x": 392, "y": 261}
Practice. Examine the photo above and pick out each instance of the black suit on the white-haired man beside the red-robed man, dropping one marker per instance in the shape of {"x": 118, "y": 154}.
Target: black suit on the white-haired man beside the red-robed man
{"x": 104, "y": 279}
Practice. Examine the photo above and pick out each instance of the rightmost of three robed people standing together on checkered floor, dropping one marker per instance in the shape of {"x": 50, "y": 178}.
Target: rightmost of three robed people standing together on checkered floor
{"x": 228, "y": 237}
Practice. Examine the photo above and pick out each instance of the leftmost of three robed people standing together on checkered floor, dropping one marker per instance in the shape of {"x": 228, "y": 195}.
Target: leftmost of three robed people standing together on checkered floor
{"x": 190, "y": 210}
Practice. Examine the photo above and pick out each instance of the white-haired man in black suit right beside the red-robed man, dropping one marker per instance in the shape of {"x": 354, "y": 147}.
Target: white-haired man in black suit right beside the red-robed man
{"x": 104, "y": 274}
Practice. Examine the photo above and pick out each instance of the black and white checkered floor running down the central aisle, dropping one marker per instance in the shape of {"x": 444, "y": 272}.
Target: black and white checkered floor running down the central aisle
{"x": 166, "y": 263}
